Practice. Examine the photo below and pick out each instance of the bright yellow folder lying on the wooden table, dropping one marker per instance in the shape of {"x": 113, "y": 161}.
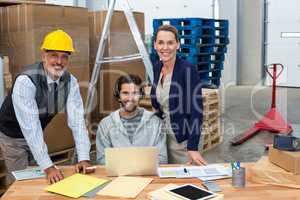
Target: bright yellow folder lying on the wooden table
{"x": 76, "y": 185}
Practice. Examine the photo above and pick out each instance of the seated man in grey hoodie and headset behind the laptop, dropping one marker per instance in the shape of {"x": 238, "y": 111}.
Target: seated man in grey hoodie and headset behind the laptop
{"x": 130, "y": 125}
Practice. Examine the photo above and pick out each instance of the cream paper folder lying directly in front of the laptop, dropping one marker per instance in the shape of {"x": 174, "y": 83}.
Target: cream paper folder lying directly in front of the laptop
{"x": 125, "y": 187}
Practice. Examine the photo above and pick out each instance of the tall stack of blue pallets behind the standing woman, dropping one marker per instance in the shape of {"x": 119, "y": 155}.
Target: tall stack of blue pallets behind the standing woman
{"x": 203, "y": 42}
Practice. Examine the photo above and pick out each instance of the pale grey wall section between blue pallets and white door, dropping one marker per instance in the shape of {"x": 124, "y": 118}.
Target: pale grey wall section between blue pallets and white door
{"x": 250, "y": 42}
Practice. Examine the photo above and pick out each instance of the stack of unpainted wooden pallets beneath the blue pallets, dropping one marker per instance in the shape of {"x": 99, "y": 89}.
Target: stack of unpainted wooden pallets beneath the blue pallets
{"x": 211, "y": 127}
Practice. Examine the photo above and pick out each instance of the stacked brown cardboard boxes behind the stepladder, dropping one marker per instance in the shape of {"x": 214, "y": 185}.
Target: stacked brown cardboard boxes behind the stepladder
{"x": 120, "y": 42}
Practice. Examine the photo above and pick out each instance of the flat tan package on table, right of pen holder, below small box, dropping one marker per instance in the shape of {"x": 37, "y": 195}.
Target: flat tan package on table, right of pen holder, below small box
{"x": 265, "y": 172}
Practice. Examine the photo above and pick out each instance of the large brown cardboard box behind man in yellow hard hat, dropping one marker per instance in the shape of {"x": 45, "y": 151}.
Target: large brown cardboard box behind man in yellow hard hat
{"x": 24, "y": 26}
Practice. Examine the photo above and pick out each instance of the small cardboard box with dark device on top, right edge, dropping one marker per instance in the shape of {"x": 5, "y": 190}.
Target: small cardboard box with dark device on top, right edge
{"x": 287, "y": 160}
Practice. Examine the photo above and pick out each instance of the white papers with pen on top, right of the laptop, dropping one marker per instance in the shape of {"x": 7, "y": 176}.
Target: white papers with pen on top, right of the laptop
{"x": 210, "y": 172}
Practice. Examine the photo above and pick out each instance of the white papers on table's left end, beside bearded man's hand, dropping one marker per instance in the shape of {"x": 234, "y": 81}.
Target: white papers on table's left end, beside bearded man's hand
{"x": 30, "y": 173}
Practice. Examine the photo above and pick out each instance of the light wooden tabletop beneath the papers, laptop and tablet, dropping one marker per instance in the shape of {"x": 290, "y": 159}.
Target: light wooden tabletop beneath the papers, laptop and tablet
{"x": 33, "y": 189}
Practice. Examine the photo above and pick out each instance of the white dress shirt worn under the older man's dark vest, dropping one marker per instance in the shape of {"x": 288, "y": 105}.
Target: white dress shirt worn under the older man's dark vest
{"x": 27, "y": 114}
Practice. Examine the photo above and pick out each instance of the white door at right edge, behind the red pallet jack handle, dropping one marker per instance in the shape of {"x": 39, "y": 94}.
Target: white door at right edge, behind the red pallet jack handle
{"x": 281, "y": 48}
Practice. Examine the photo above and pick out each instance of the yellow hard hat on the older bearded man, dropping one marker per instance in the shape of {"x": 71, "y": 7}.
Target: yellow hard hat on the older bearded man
{"x": 58, "y": 41}
